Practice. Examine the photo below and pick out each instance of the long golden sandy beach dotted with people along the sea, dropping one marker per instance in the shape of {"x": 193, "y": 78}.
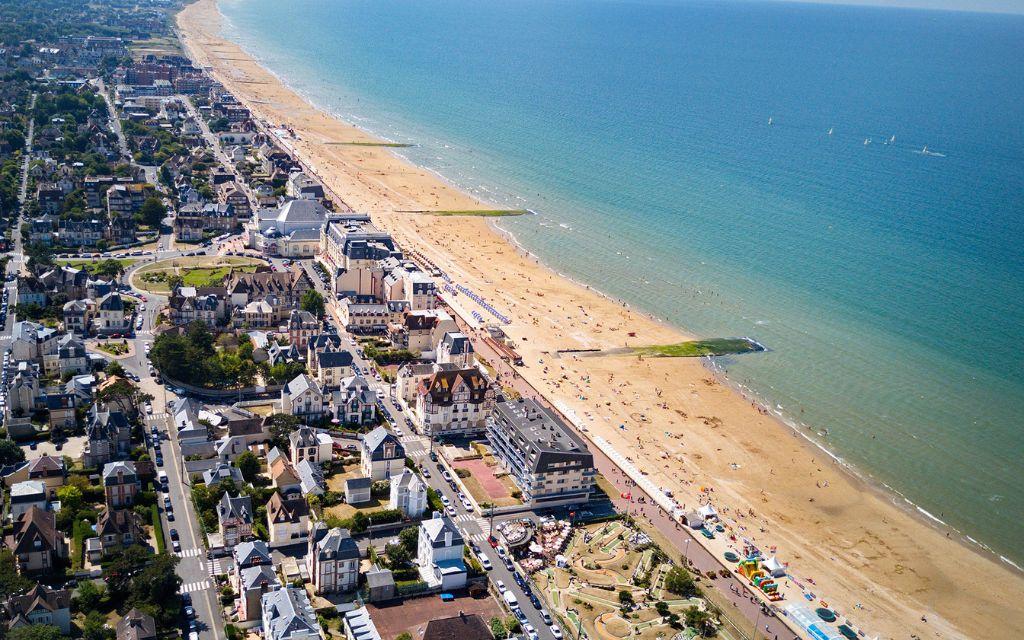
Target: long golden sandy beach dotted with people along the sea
{"x": 875, "y": 562}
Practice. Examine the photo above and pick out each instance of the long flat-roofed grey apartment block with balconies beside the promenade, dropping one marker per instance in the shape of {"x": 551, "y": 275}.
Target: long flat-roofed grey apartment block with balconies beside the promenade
{"x": 546, "y": 459}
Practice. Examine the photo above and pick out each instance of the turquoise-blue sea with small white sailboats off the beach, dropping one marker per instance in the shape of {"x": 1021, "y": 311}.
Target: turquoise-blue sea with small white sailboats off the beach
{"x": 886, "y": 282}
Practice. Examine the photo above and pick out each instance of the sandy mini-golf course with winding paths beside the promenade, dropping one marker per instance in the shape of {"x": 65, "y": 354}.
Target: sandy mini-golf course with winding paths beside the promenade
{"x": 604, "y": 563}
